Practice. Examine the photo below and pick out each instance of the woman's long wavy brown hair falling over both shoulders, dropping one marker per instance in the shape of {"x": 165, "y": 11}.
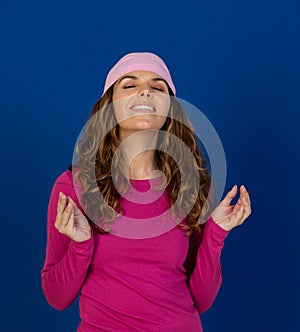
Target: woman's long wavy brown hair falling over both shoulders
{"x": 96, "y": 155}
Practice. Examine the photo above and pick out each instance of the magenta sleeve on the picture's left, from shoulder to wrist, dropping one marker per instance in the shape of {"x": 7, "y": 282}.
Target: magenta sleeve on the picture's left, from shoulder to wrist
{"x": 67, "y": 261}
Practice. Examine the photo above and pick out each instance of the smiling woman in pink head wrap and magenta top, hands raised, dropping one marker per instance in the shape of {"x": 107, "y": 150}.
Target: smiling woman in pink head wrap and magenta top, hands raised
{"x": 132, "y": 274}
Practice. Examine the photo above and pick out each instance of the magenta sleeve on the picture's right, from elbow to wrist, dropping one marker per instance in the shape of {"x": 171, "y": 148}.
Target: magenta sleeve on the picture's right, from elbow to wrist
{"x": 206, "y": 278}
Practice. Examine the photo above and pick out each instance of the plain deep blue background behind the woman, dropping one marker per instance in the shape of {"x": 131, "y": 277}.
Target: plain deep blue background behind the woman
{"x": 237, "y": 61}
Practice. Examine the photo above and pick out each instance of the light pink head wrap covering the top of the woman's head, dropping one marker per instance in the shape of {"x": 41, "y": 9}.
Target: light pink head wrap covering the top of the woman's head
{"x": 138, "y": 61}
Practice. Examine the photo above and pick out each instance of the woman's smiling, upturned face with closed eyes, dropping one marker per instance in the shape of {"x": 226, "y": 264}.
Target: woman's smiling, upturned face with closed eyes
{"x": 141, "y": 101}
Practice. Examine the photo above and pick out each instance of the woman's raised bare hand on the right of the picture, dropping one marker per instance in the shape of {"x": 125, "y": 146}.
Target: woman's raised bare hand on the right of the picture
{"x": 229, "y": 216}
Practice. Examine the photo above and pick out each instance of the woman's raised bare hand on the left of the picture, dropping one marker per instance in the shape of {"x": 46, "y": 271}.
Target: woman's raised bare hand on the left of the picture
{"x": 70, "y": 220}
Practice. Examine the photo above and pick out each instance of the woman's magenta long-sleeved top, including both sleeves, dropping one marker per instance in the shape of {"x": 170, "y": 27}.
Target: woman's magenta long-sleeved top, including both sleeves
{"x": 161, "y": 283}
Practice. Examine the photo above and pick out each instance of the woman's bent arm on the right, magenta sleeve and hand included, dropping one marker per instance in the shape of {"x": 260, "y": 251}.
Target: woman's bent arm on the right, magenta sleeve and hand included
{"x": 206, "y": 277}
